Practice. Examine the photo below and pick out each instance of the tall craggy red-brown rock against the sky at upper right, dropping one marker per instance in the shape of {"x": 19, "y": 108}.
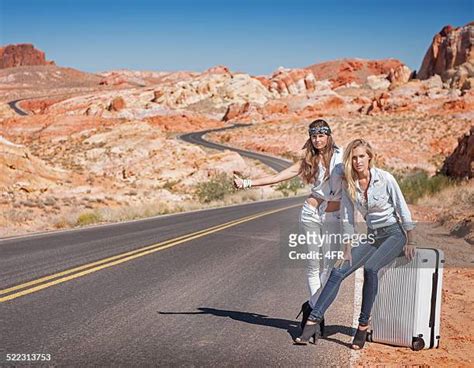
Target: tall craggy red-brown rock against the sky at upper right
{"x": 448, "y": 54}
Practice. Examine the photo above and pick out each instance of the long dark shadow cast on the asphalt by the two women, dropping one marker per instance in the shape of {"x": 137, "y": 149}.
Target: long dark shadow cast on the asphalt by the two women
{"x": 292, "y": 327}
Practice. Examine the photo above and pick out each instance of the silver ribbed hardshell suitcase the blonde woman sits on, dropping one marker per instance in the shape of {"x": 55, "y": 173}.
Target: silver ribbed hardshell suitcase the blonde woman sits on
{"x": 407, "y": 308}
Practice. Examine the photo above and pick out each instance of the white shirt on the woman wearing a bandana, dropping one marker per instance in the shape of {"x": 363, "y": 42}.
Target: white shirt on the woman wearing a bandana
{"x": 331, "y": 188}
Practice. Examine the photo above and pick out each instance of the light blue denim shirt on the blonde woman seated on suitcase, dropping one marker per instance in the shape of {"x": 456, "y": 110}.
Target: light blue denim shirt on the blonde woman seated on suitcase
{"x": 385, "y": 204}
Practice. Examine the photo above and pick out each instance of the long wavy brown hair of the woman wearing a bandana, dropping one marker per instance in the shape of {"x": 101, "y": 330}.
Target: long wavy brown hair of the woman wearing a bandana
{"x": 309, "y": 168}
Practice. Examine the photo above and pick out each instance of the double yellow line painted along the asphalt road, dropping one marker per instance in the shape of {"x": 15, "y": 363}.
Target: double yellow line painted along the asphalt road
{"x": 73, "y": 273}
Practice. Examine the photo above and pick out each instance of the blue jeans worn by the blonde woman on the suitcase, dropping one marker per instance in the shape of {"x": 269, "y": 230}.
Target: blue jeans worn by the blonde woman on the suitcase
{"x": 388, "y": 245}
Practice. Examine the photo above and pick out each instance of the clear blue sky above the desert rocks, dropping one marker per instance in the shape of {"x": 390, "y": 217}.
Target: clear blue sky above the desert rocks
{"x": 251, "y": 36}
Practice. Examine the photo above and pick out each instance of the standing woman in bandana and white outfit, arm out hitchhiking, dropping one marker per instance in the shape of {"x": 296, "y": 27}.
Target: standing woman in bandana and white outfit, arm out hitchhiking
{"x": 321, "y": 167}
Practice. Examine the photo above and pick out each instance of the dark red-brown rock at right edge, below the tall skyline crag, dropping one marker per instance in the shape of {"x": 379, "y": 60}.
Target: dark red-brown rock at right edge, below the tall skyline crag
{"x": 460, "y": 163}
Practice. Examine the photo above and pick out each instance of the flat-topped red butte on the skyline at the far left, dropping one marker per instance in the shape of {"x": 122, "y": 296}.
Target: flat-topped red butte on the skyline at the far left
{"x": 21, "y": 55}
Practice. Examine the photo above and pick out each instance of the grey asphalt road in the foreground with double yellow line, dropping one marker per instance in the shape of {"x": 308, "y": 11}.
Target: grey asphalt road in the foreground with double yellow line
{"x": 206, "y": 288}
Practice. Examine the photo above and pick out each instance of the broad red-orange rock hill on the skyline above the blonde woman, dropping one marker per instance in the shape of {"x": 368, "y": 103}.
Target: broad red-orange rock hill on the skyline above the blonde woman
{"x": 341, "y": 72}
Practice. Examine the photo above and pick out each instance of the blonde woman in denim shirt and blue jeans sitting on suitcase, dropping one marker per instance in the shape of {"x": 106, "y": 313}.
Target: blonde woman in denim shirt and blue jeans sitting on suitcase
{"x": 377, "y": 196}
